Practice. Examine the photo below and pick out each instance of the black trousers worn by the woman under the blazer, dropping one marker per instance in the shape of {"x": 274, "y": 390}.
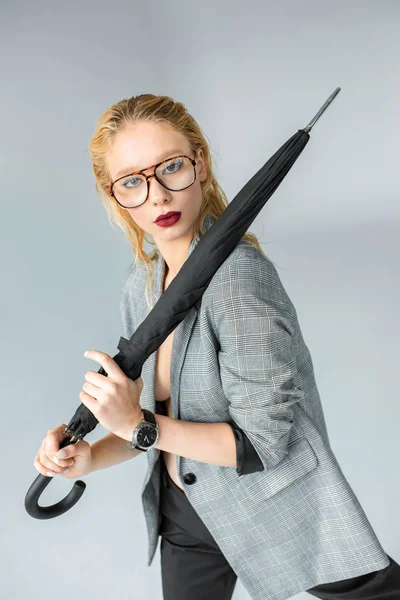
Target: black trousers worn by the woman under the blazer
{"x": 194, "y": 568}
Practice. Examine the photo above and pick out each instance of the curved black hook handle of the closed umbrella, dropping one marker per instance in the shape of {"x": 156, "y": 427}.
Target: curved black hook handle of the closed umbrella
{"x": 41, "y": 482}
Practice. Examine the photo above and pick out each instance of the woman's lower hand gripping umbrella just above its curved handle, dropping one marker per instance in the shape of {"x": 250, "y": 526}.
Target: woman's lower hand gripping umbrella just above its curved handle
{"x": 78, "y": 458}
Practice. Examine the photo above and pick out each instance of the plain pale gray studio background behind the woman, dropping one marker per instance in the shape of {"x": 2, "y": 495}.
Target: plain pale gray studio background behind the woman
{"x": 251, "y": 74}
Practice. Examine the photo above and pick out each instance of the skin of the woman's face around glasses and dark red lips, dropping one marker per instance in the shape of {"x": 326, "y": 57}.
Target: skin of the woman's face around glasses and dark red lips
{"x": 141, "y": 145}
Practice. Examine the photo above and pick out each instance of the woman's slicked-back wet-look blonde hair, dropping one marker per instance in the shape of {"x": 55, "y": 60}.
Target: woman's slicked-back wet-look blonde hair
{"x": 156, "y": 109}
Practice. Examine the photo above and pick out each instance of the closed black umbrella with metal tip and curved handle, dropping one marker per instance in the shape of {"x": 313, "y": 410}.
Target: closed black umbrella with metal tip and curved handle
{"x": 183, "y": 292}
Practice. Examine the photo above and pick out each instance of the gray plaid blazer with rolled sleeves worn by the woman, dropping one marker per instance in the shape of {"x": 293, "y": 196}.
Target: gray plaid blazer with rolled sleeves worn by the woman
{"x": 239, "y": 355}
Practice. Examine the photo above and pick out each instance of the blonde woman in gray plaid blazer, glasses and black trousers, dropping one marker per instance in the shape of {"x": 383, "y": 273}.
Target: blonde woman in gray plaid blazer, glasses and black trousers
{"x": 242, "y": 481}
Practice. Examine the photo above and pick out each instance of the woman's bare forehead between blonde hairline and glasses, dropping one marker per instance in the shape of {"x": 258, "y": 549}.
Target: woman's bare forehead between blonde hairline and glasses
{"x": 140, "y": 145}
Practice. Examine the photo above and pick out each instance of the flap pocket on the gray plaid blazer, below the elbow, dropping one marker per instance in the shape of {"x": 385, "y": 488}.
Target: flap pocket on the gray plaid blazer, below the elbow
{"x": 300, "y": 461}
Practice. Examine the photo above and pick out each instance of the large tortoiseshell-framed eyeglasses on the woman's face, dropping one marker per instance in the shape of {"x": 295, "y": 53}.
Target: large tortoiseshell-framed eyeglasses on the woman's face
{"x": 176, "y": 173}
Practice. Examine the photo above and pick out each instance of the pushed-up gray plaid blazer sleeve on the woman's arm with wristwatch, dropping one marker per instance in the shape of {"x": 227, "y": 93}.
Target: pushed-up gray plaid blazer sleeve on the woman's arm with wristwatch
{"x": 255, "y": 321}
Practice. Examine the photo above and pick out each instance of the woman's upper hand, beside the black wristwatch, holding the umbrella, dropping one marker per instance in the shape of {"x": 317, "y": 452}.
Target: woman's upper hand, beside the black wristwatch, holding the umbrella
{"x": 114, "y": 400}
